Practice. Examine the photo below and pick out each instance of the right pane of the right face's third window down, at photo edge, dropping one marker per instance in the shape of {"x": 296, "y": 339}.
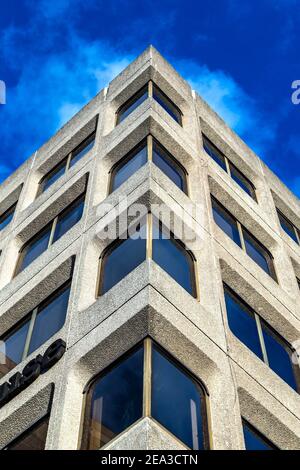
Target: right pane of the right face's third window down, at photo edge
{"x": 278, "y": 357}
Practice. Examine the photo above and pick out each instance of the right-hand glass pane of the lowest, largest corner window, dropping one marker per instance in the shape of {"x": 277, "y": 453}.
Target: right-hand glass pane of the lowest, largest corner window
{"x": 176, "y": 401}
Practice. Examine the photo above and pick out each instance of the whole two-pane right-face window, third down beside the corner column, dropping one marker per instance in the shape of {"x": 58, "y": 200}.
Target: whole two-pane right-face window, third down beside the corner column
{"x": 245, "y": 325}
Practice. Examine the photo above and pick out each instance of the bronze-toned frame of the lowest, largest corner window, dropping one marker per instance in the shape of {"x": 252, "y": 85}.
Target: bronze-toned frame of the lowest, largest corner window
{"x": 147, "y": 344}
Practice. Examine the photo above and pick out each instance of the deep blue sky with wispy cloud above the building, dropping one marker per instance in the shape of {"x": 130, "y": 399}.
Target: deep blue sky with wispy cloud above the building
{"x": 241, "y": 56}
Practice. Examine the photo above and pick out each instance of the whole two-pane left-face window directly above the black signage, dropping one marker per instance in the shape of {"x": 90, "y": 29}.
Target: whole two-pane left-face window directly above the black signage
{"x": 40, "y": 325}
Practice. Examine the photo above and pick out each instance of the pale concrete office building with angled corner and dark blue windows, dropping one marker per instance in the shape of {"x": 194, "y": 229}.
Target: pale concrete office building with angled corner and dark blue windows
{"x": 150, "y": 342}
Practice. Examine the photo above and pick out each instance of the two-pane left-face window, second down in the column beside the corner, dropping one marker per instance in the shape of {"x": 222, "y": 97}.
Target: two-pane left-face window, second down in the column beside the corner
{"x": 56, "y": 229}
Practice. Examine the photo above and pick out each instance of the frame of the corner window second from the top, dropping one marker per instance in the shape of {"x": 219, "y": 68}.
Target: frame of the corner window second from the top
{"x": 148, "y": 142}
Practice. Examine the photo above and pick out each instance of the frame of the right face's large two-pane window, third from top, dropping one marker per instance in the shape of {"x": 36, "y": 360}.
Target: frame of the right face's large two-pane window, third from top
{"x": 262, "y": 324}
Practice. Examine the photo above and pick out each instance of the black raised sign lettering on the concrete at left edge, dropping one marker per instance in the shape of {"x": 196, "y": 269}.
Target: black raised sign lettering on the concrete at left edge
{"x": 37, "y": 366}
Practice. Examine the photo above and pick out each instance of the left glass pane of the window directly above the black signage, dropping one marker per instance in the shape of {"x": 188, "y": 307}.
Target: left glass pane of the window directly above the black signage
{"x": 12, "y": 348}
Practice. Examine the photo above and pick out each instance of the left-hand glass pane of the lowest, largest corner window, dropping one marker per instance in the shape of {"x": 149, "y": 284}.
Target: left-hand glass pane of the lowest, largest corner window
{"x": 116, "y": 400}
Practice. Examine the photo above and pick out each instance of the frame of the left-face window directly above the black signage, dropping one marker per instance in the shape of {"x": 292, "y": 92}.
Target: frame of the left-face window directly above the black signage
{"x": 31, "y": 317}
